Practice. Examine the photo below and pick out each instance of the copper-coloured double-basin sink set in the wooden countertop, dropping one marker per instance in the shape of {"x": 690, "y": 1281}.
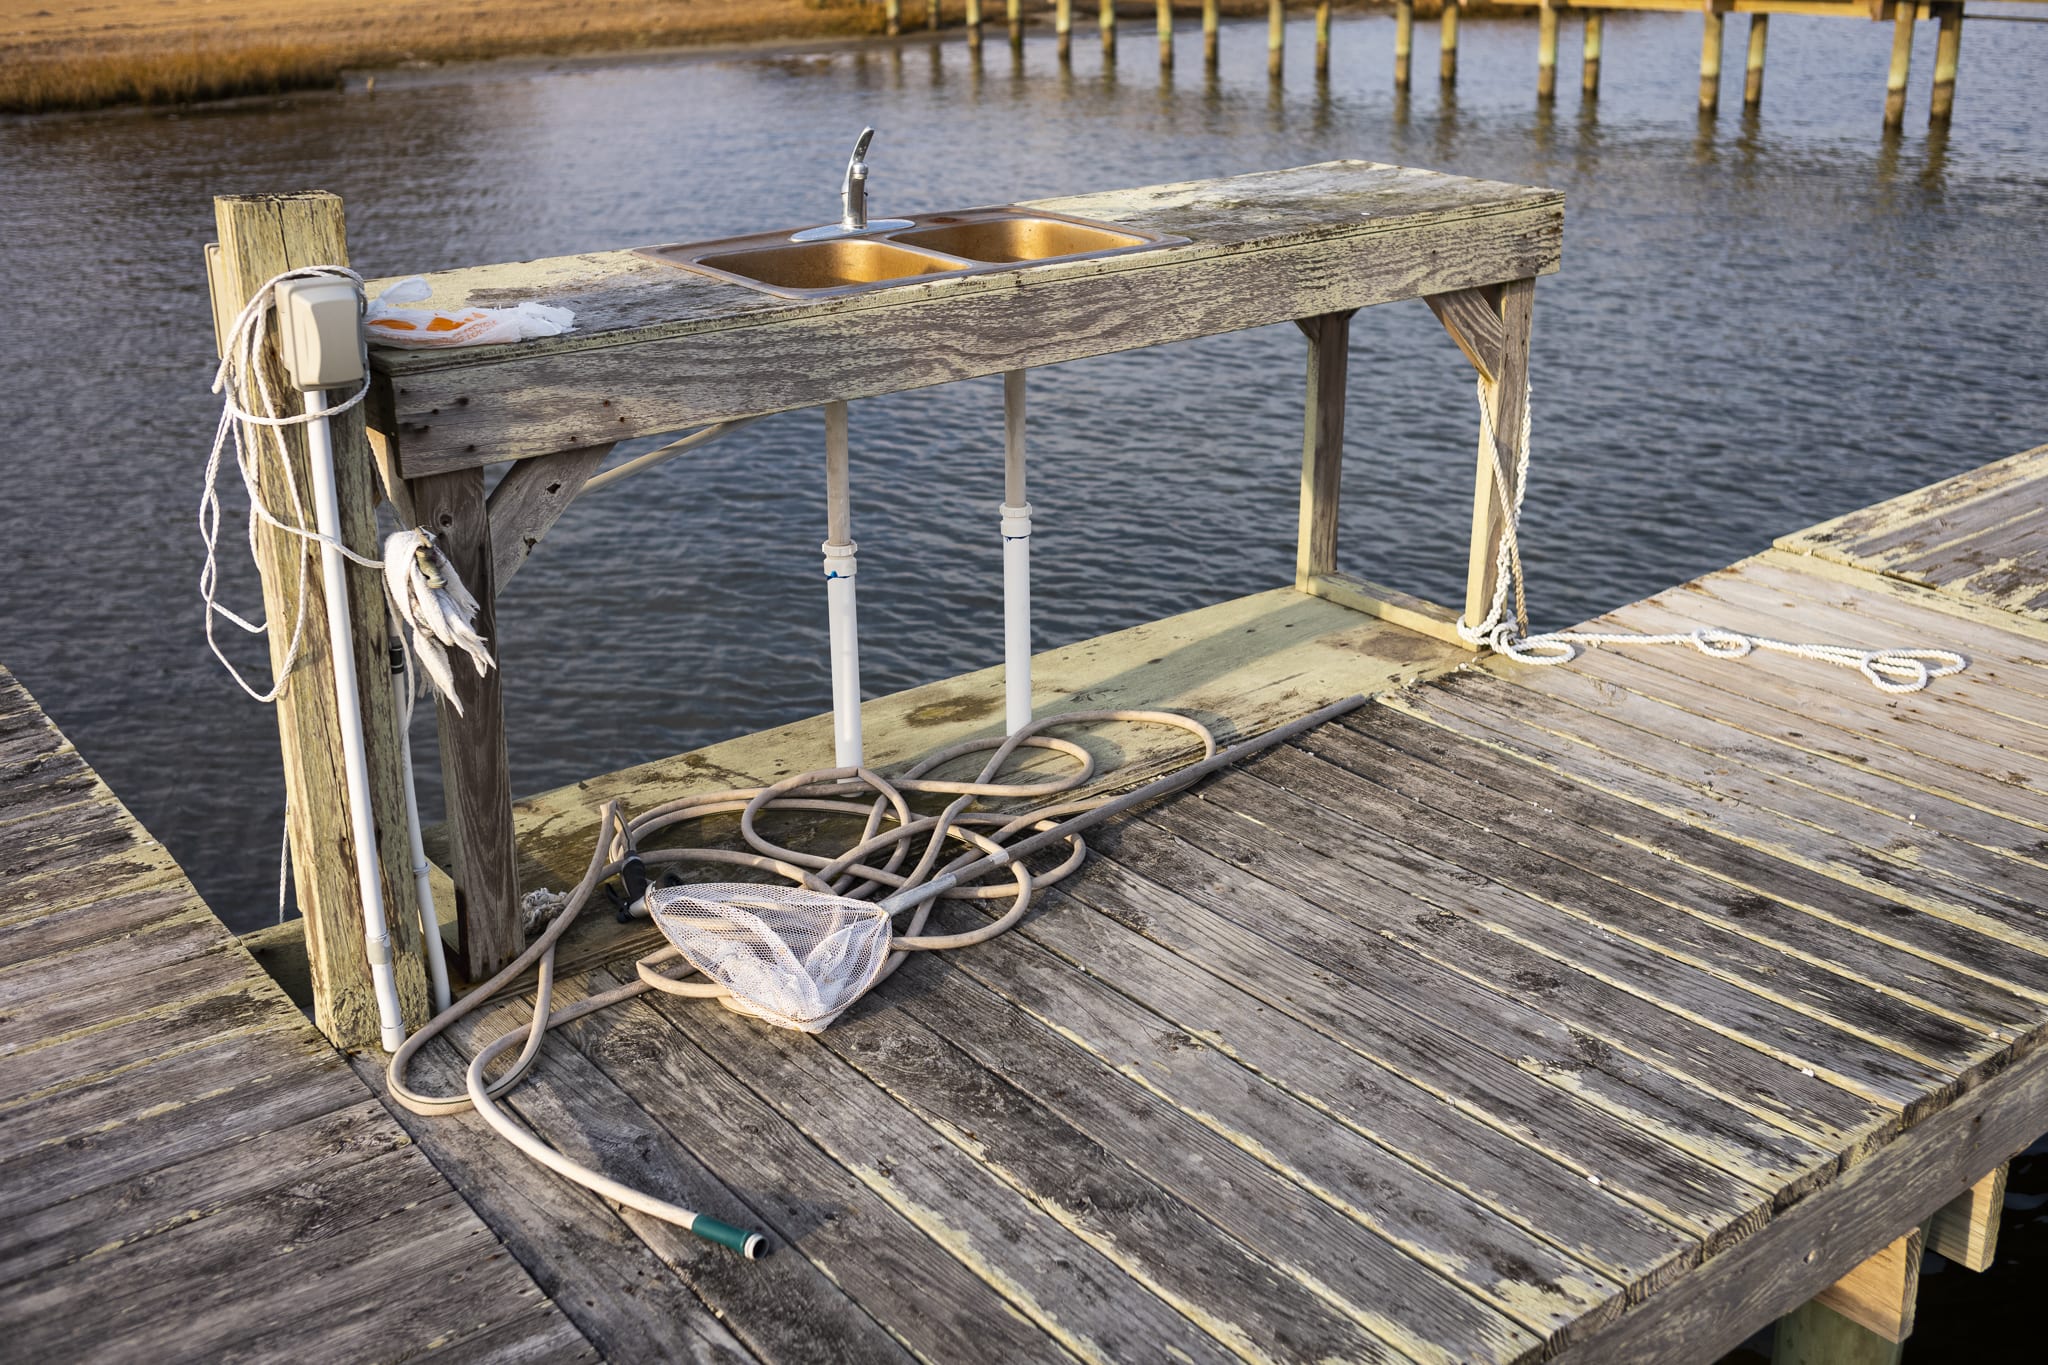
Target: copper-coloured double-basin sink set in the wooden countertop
{"x": 933, "y": 247}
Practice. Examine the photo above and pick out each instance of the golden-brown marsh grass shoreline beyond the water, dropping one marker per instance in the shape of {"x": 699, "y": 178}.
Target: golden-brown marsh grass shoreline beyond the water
{"x": 73, "y": 56}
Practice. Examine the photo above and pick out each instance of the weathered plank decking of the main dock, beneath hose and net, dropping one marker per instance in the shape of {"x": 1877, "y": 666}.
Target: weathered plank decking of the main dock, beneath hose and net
{"x": 1598, "y": 1012}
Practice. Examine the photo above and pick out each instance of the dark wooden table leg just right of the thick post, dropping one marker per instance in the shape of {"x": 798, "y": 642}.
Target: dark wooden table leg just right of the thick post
{"x": 474, "y": 744}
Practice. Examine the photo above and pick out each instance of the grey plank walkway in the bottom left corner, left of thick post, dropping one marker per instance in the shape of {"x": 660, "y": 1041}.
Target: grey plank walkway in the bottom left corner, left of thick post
{"x": 189, "y": 1172}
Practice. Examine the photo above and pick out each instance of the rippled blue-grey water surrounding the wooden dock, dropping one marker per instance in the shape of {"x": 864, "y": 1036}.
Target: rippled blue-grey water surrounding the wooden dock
{"x": 1760, "y": 322}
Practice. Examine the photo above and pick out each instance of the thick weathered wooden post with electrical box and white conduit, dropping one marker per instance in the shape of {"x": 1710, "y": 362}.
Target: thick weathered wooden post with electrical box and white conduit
{"x": 265, "y": 236}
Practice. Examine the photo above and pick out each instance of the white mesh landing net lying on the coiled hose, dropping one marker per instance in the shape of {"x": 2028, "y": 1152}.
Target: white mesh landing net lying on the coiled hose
{"x": 790, "y": 957}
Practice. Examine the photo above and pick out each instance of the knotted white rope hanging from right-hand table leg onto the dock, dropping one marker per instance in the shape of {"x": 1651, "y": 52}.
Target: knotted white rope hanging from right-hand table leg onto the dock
{"x": 1889, "y": 670}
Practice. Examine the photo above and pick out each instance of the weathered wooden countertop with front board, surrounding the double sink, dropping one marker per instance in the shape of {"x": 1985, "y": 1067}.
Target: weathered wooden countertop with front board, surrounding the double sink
{"x": 658, "y": 349}
